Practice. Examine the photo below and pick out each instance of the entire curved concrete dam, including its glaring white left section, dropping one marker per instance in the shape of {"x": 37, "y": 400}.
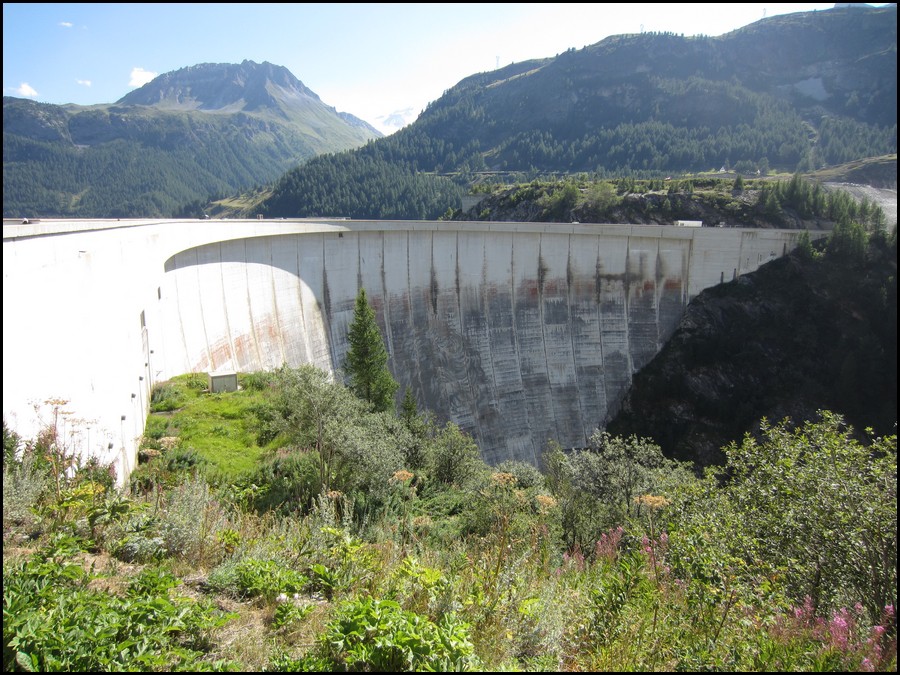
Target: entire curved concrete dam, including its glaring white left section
{"x": 518, "y": 332}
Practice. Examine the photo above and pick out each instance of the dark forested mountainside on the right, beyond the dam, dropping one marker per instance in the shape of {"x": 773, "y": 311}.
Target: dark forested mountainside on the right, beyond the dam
{"x": 790, "y": 93}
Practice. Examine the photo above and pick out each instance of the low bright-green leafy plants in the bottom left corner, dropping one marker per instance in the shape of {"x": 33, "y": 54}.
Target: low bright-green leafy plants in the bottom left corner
{"x": 54, "y": 621}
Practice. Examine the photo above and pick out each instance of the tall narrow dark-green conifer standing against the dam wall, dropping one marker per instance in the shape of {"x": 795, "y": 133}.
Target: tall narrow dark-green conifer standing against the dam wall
{"x": 366, "y": 363}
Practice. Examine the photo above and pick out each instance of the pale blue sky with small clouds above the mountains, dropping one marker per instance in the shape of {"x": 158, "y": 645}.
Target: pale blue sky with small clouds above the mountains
{"x": 380, "y": 62}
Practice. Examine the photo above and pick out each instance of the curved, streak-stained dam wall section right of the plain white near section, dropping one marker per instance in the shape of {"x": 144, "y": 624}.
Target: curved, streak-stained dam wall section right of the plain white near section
{"x": 517, "y": 333}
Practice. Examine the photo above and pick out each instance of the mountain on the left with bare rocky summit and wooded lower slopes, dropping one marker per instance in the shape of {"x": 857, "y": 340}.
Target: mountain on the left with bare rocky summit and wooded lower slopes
{"x": 199, "y": 132}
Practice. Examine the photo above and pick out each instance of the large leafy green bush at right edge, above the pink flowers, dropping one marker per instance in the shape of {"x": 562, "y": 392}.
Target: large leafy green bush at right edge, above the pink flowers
{"x": 819, "y": 502}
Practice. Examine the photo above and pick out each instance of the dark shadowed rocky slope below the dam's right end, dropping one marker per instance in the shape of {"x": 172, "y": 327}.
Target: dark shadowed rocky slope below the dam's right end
{"x": 797, "y": 336}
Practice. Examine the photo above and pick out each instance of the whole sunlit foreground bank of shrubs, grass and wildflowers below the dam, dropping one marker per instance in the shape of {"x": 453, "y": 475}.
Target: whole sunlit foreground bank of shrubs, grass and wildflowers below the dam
{"x": 288, "y": 527}
